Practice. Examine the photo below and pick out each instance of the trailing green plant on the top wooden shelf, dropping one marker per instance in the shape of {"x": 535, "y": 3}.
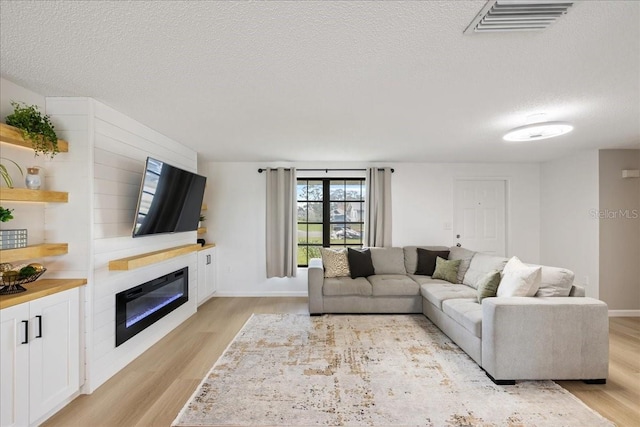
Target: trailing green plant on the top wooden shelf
{"x": 35, "y": 127}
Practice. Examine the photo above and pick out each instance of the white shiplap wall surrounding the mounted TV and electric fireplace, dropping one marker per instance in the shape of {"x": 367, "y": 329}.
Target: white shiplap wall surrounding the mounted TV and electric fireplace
{"x": 108, "y": 178}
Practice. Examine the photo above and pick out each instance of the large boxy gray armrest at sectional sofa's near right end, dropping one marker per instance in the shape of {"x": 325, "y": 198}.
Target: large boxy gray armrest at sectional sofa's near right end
{"x": 557, "y": 338}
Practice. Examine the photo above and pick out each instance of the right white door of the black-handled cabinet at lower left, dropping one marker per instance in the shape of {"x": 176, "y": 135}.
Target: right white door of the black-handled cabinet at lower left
{"x": 54, "y": 353}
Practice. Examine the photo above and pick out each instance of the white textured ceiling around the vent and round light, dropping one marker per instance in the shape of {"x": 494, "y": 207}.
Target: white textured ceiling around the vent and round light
{"x": 311, "y": 81}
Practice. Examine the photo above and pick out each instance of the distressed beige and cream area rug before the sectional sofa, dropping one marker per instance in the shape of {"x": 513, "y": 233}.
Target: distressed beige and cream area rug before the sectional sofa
{"x": 377, "y": 370}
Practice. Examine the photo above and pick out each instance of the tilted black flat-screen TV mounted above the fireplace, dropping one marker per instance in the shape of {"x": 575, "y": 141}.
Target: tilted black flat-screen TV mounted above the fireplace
{"x": 170, "y": 200}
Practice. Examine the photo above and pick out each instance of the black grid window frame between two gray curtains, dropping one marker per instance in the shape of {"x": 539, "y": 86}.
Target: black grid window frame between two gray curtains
{"x": 329, "y": 226}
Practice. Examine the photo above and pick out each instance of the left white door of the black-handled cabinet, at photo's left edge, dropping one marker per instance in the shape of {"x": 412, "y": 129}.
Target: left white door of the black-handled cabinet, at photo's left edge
{"x": 14, "y": 366}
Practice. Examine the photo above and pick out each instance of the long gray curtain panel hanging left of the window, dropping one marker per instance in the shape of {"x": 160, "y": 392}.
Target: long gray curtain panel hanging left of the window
{"x": 282, "y": 253}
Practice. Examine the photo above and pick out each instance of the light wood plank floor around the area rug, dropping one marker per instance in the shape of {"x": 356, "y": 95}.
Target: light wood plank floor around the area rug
{"x": 153, "y": 388}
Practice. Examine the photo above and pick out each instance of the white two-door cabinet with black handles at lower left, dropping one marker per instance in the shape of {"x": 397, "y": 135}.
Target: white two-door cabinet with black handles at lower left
{"x": 39, "y": 357}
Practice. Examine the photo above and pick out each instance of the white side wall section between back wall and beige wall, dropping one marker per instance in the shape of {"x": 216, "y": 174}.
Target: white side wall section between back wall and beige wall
{"x": 569, "y": 230}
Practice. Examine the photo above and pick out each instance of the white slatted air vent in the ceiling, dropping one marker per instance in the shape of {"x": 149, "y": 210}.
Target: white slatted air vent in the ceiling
{"x": 517, "y": 15}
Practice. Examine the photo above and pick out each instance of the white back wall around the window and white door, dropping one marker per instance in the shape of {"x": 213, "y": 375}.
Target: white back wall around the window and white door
{"x": 422, "y": 203}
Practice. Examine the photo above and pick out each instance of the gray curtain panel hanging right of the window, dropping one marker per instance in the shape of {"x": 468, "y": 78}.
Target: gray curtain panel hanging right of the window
{"x": 378, "y": 201}
